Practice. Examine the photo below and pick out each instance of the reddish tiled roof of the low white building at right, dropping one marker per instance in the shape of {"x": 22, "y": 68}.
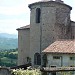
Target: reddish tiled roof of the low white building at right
{"x": 61, "y": 46}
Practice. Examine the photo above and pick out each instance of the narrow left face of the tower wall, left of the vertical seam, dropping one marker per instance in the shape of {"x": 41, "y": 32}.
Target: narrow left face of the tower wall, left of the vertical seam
{"x": 34, "y": 34}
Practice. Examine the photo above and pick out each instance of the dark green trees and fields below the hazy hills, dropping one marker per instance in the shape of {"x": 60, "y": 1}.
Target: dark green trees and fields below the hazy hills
{"x": 8, "y": 58}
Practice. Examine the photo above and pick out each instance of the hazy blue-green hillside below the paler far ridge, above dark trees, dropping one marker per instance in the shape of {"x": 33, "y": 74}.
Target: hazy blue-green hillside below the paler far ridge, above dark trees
{"x": 8, "y": 43}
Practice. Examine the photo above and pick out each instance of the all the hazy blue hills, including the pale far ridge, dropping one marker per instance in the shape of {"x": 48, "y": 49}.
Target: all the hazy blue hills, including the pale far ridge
{"x": 8, "y": 41}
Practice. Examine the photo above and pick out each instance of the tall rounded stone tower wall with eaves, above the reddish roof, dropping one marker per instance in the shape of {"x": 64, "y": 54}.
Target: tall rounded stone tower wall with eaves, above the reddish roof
{"x": 54, "y": 23}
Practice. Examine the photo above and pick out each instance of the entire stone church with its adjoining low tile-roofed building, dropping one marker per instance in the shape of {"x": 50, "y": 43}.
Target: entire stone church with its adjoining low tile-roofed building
{"x": 49, "y": 39}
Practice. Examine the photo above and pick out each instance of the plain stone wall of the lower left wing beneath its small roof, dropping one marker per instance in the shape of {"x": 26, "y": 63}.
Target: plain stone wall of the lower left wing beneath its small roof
{"x": 23, "y": 46}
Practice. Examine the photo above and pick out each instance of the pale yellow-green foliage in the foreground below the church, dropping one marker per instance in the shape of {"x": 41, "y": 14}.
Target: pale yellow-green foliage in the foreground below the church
{"x": 26, "y": 72}
